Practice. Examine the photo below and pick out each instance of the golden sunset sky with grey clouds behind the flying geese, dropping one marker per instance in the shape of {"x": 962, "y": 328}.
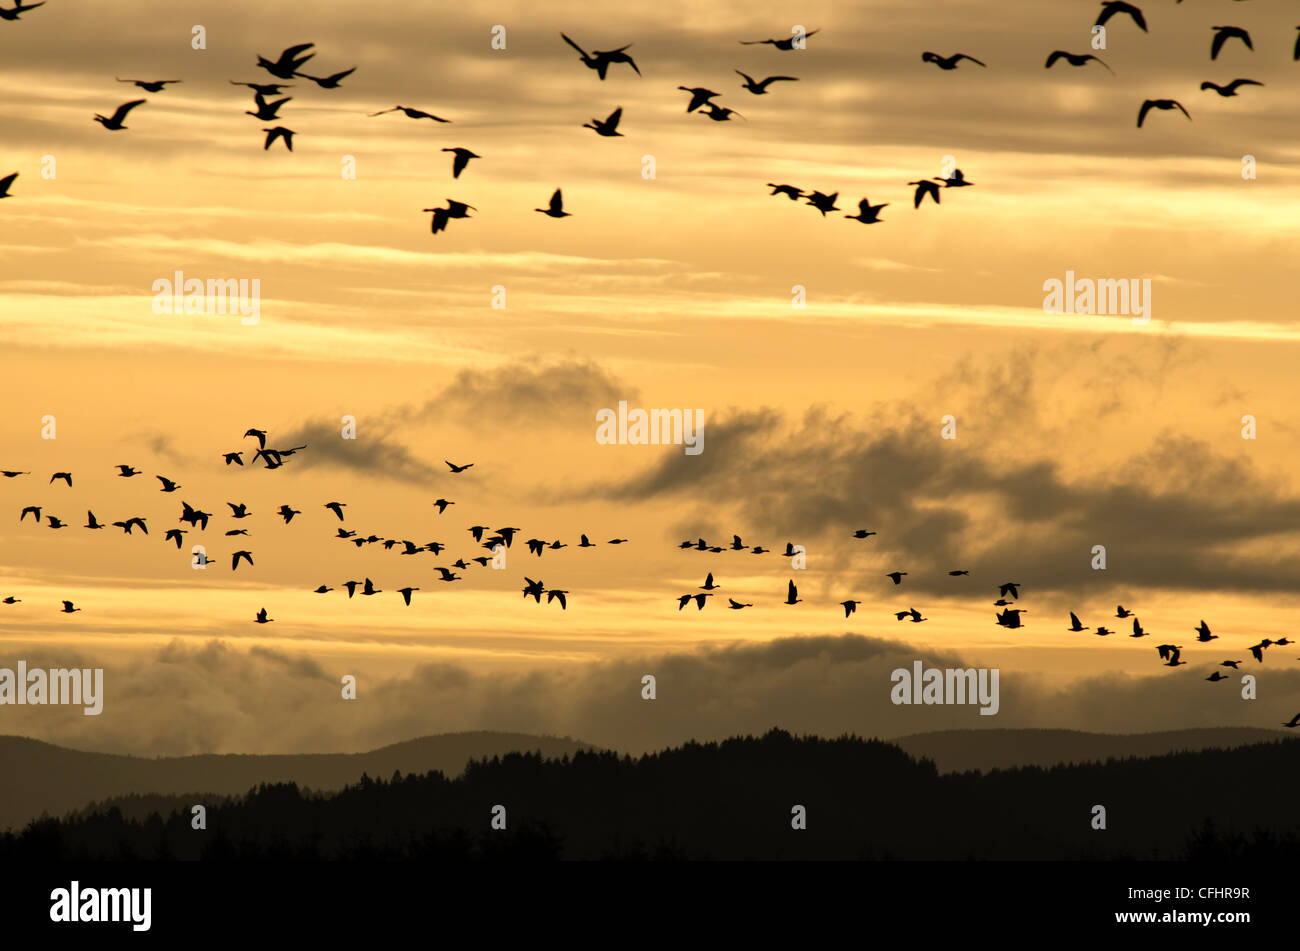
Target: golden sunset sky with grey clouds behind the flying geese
{"x": 666, "y": 292}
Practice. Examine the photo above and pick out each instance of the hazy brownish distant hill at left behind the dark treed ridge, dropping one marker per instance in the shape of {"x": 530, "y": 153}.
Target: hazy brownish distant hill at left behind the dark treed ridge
{"x": 41, "y": 778}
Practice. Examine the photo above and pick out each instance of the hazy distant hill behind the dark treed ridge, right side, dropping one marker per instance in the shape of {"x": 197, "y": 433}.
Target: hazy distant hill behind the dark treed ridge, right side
{"x": 959, "y": 752}
